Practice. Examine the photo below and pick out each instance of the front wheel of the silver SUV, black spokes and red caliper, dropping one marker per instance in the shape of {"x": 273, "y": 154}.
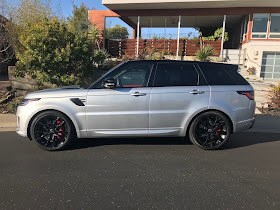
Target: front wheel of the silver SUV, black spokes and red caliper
{"x": 52, "y": 130}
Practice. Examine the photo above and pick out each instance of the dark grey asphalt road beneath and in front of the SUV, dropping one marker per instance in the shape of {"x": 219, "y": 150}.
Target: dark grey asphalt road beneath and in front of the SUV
{"x": 158, "y": 173}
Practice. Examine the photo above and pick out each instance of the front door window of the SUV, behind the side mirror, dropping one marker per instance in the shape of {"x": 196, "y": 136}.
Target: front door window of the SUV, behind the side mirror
{"x": 131, "y": 74}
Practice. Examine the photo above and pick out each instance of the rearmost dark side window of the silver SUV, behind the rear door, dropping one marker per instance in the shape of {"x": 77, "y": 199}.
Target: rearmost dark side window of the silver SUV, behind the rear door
{"x": 222, "y": 74}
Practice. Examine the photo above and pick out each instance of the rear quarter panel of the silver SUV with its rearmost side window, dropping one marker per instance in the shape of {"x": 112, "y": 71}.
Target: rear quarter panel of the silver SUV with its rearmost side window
{"x": 227, "y": 86}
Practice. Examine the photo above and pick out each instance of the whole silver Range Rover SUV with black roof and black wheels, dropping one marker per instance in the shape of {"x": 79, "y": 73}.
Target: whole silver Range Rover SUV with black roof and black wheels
{"x": 204, "y": 101}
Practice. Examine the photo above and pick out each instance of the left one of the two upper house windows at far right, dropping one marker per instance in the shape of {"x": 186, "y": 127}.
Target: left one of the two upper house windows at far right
{"x": 259, "y": 30}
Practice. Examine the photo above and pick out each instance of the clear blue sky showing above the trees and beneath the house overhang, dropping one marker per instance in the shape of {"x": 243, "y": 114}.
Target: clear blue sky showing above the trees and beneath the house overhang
{"x": 66, "y": 7}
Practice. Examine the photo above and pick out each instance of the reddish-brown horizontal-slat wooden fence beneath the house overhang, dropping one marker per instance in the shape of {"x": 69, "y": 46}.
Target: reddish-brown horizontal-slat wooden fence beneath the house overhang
{"x": 119, "y": 48}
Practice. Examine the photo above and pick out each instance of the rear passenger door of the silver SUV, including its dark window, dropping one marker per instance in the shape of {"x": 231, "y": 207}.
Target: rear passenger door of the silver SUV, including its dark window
{"x": 179, "y": 91}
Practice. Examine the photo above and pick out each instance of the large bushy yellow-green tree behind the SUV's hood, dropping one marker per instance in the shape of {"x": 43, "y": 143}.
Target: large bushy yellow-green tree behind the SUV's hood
{"x": 55, "y": 54}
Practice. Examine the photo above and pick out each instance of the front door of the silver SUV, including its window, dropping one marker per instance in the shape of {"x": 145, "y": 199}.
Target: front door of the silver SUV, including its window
{"x": 123, "y": 110}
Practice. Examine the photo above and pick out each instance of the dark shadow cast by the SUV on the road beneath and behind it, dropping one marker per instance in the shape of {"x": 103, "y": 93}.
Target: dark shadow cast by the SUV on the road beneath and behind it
{"x": 237, "y": 140}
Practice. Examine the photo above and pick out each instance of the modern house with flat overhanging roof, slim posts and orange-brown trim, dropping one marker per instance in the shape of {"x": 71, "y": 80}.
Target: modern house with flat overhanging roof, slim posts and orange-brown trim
{"x": 253, "y": 26}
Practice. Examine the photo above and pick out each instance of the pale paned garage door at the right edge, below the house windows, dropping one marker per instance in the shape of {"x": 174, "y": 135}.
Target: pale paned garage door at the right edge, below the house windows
{"x": 271, "y": 65}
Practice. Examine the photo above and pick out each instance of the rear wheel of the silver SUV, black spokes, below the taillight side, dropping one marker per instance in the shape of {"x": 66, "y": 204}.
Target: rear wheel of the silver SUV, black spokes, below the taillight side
{"x": 210, "y": 130}
